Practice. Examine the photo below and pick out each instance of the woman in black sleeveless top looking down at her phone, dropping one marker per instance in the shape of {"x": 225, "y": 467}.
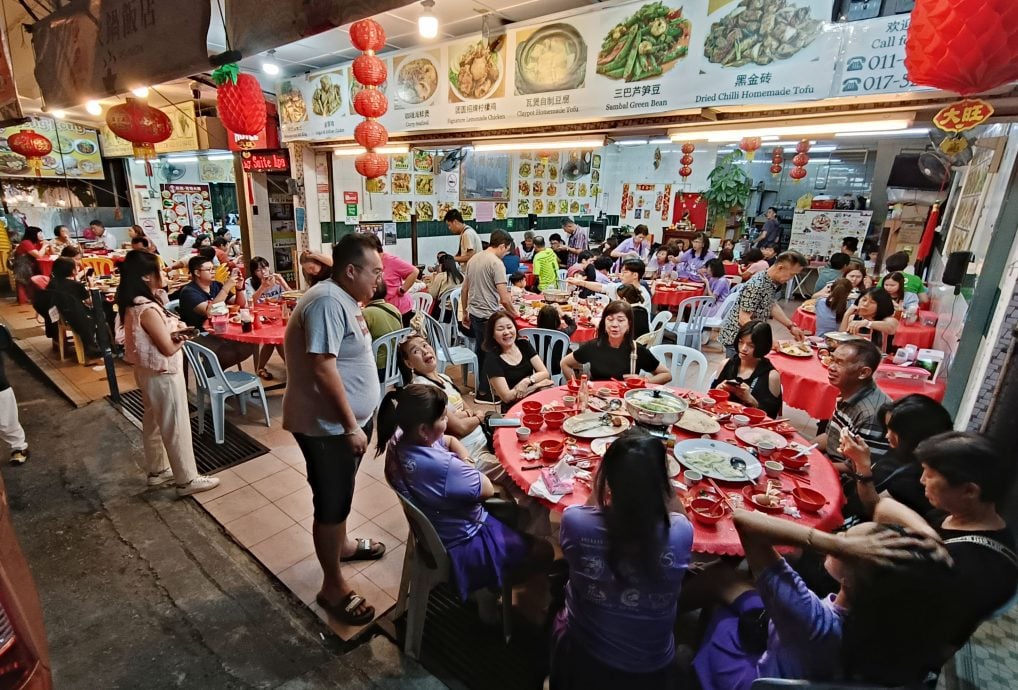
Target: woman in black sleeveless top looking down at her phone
{"x": 750, "y": 377}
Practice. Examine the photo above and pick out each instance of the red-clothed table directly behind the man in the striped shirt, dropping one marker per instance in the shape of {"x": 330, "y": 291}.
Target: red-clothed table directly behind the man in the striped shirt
{"x": 805, "y": 385}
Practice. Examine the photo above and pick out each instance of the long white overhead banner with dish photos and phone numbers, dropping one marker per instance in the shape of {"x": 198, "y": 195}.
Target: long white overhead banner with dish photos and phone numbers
{"x": 627, "y": 61}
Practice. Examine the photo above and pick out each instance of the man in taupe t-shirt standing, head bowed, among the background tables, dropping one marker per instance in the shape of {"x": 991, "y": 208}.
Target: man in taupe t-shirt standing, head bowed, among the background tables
{"x": 485, "y": 293}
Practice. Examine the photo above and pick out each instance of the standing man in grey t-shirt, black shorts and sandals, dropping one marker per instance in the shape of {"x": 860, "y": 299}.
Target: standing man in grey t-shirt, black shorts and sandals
{"x": 332, "y": 392}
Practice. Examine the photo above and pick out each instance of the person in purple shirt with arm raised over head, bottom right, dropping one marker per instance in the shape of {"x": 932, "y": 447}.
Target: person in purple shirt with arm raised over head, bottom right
{"x": 884, "y": 626}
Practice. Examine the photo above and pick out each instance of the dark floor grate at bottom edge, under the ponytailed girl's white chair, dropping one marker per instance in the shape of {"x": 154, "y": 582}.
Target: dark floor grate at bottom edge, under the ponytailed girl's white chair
{"x": 458, "y": 646}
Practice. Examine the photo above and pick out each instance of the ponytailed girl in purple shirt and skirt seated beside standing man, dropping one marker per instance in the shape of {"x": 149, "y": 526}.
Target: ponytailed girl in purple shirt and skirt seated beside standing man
{"x": 433, "y": 472}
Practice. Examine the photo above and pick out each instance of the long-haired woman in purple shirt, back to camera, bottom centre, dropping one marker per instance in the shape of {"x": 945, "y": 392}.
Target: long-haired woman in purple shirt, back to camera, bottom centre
{"x": 628, "y": 556}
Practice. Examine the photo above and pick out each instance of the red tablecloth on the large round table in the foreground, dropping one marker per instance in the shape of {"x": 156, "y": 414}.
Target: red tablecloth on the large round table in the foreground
{"x": 720, "y": 539}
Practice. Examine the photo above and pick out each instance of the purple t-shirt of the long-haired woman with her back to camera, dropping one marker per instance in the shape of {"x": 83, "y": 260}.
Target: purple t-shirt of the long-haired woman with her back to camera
{"x": 627, "y": 624}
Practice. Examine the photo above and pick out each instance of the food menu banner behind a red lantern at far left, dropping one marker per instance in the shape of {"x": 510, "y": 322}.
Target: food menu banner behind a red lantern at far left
{"x": 76, "y": 151}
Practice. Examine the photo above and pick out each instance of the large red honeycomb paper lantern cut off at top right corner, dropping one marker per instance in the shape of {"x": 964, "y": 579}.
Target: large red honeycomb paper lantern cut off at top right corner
{"x": 965, "y": 46}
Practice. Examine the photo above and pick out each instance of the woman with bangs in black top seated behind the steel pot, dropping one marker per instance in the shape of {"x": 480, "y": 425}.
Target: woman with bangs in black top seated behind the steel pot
{"x": 614, "y": 354}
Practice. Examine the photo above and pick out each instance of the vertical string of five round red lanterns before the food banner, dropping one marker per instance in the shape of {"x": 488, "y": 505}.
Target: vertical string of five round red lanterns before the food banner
{"x": 370, "y": 72}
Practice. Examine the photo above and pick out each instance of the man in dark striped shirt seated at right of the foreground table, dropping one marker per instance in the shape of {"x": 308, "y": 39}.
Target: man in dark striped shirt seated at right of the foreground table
{"x": 860, "y": 401}
